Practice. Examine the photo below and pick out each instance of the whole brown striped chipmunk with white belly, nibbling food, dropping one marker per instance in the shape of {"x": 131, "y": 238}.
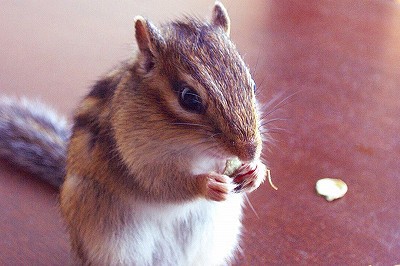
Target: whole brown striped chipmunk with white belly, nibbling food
{"x": 141, "y": 170}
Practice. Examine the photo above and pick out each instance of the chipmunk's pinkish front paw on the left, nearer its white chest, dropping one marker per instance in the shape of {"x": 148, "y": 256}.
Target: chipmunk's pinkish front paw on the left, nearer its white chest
{"x": 218, "y": 186}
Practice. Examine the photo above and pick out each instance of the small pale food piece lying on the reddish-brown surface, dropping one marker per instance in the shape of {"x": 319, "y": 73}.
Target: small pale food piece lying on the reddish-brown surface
{"x": 331, "y": 188}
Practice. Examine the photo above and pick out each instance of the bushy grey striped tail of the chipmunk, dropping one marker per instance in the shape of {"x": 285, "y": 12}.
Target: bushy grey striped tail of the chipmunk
{"x": 34, "y": 138}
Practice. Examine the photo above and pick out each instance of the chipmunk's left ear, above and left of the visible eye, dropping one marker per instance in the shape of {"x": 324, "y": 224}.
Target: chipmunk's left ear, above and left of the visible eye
{"x": 149, "y": 40}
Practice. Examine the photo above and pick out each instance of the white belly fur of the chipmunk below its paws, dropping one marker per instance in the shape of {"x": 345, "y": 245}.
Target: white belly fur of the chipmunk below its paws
{"x": 196, "y": 233}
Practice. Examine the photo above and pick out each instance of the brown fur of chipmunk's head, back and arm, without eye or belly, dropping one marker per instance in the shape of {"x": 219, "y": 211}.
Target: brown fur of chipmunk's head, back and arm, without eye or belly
{"x": 131, "y": 137}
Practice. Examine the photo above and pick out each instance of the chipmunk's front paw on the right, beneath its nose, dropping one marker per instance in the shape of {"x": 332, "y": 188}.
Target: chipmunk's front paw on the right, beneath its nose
{"x": 249, "y": 177}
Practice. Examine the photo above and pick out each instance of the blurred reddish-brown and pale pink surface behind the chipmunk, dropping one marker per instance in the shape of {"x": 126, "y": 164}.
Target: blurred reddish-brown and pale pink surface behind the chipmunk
{"x": 331, "y": 68}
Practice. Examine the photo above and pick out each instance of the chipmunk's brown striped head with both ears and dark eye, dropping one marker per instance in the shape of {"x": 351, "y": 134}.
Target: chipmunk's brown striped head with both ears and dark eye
{"x": 188, "y": 93}
